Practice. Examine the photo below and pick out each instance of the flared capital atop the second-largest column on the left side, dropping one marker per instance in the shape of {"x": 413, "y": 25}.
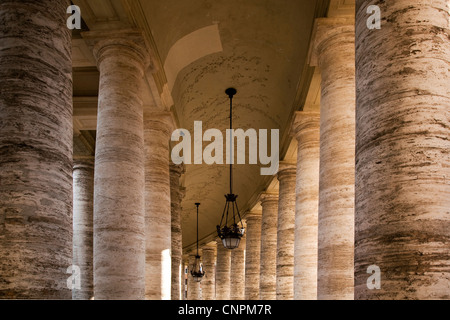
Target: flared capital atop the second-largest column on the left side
{"x": 128, "y": 43}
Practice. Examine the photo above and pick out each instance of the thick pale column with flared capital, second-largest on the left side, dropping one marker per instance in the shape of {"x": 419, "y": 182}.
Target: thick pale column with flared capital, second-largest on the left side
{"x": 119, "y": 233}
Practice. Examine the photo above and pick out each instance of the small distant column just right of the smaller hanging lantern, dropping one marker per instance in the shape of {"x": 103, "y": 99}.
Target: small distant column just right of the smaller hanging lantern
{"x": 209, "y": 280}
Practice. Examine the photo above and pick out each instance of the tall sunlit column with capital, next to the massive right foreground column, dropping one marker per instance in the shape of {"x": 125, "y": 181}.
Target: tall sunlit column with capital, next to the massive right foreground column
{"x": 334, "y": 53}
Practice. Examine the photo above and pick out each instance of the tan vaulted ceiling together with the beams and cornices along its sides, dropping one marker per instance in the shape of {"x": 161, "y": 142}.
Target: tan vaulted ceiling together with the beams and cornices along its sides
{"x": 199, "y": 49}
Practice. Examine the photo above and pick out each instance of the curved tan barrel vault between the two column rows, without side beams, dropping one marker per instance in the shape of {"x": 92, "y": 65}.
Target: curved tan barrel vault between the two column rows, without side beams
{"x": 259, "y": 48}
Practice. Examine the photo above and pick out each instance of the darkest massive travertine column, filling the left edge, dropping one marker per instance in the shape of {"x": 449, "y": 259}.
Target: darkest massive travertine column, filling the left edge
{"x": 35, "y": 150}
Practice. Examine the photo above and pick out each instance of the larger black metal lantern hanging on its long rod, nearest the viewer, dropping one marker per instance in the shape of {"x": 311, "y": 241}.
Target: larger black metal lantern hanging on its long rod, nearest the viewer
{"x": 231, "y": 235}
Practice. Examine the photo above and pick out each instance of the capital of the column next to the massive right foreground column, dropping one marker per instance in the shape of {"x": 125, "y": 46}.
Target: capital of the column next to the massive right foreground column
{"x": 326, "y": 29}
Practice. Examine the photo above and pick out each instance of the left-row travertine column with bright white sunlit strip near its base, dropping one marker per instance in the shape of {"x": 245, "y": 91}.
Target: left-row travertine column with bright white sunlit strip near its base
{"x": 158, "y": 128}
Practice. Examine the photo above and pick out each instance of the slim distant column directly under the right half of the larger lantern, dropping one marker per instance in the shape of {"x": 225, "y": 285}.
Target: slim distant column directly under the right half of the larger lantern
{"x": 237, "y": 291}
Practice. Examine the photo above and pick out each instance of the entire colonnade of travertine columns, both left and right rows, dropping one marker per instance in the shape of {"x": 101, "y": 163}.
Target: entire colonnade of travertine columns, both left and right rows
{"x": 370, "y": 186}
